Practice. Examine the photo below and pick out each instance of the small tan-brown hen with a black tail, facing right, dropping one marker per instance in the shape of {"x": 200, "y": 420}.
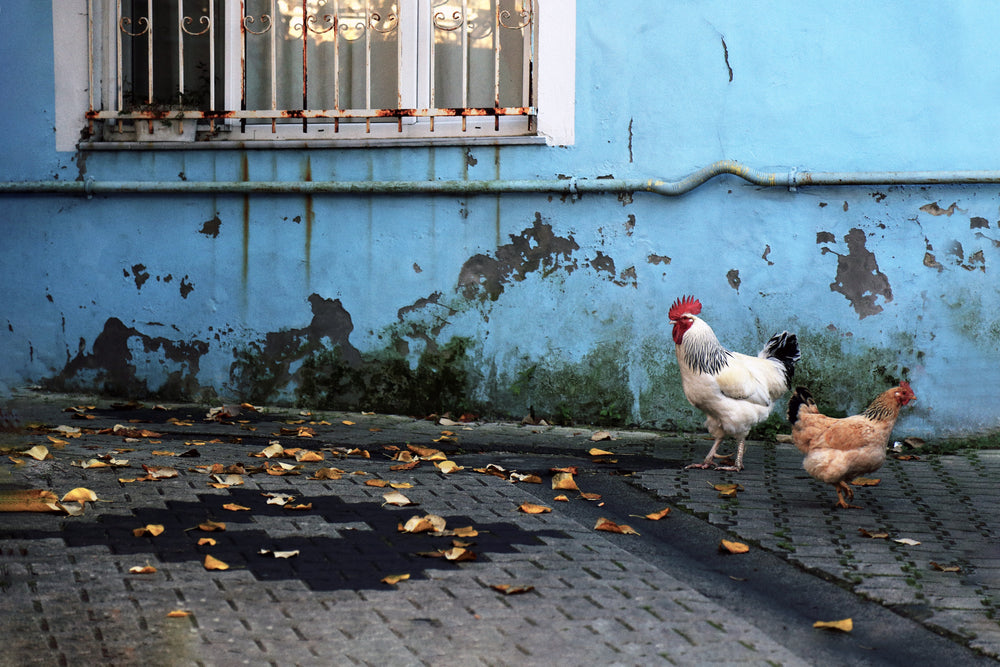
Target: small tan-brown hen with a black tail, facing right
{"x": 838, "y": 450}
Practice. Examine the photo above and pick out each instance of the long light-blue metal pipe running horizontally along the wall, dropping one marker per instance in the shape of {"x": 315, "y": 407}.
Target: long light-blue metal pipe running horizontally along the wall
{"x": 569, "y": 186}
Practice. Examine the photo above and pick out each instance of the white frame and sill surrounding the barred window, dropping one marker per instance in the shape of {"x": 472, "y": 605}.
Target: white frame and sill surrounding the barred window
{"x": 554, "y": 99}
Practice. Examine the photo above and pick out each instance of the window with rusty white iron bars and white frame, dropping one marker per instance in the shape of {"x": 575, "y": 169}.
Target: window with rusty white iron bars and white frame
{"x": 287, "y": 71}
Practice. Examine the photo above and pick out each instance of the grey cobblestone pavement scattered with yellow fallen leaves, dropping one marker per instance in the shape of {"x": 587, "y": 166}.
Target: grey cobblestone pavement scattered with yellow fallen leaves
{"x": 67, "y": 595}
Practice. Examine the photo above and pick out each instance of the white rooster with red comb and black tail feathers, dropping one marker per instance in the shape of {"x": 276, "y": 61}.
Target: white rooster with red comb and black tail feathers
{"x": 735, "y": 391}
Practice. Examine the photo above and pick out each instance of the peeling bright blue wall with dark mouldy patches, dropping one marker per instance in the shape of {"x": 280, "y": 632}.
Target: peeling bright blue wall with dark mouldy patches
{"x": 500, "y": 304}
